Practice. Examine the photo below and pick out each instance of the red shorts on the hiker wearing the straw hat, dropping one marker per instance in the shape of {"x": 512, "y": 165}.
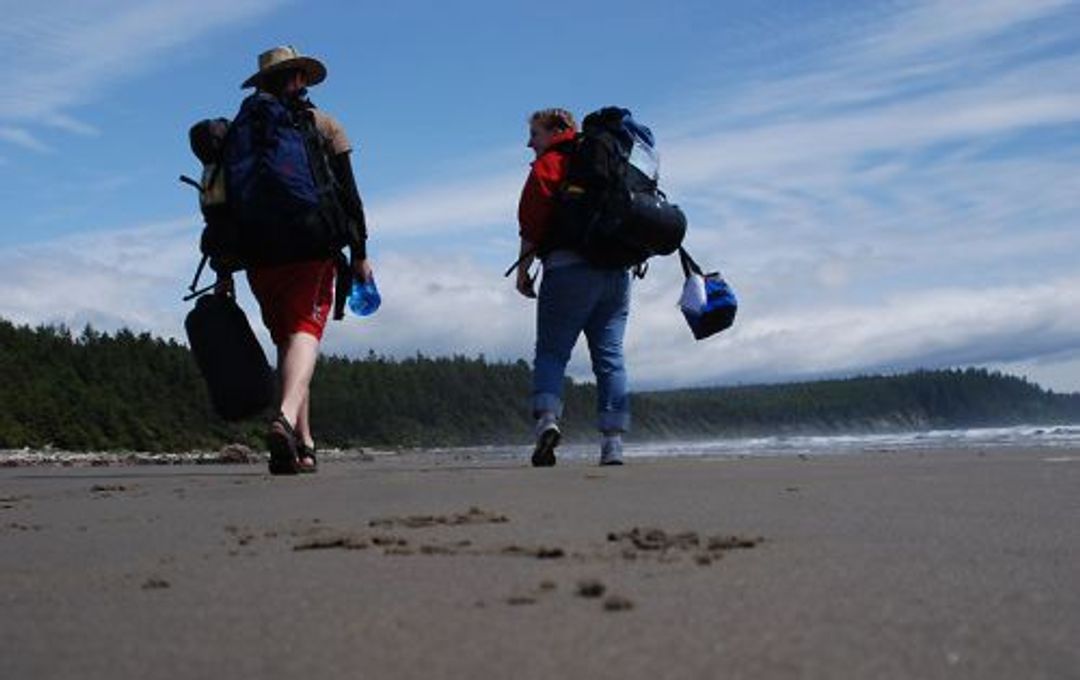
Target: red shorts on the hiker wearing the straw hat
{"x": 294, "y": 298}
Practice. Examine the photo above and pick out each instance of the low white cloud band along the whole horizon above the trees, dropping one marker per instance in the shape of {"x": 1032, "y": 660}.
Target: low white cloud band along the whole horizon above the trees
{"x": 439, "y": 306}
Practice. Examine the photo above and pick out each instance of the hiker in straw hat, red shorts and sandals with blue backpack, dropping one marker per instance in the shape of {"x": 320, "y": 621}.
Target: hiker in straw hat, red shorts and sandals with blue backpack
{"x": 282, "y": 157}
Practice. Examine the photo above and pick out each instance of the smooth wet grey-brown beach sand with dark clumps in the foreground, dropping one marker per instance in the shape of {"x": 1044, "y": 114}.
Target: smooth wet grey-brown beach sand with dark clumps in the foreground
{"x": 936, "y": 565}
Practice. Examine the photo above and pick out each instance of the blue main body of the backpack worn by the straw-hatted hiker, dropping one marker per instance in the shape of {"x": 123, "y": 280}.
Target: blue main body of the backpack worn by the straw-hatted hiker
{"x": 279, "y": 185}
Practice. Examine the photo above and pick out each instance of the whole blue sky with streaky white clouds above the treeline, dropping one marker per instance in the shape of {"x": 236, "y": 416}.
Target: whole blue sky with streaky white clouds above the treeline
{"x": 888, "y": 185}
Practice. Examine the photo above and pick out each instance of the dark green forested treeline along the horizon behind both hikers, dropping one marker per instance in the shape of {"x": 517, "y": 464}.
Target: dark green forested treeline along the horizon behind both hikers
{"x": 131, "y": 391}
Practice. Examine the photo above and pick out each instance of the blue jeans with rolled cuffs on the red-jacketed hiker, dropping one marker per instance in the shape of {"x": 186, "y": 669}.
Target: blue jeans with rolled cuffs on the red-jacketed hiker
{"x": 577, "y": 298}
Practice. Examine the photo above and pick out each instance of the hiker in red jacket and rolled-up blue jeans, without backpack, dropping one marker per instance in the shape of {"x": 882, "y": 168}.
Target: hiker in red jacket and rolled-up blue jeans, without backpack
{"x": 575, "y": 297}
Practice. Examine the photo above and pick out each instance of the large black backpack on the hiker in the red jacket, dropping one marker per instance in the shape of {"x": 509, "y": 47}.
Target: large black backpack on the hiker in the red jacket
{"x": 611, "y": 209}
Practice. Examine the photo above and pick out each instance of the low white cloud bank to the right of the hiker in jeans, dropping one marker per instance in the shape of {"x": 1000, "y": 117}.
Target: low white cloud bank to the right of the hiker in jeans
{"x": 935, "y": 328}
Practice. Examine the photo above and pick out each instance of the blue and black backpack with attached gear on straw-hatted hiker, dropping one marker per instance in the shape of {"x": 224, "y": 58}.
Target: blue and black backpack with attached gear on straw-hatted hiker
{"x": 268, "y": 195}
